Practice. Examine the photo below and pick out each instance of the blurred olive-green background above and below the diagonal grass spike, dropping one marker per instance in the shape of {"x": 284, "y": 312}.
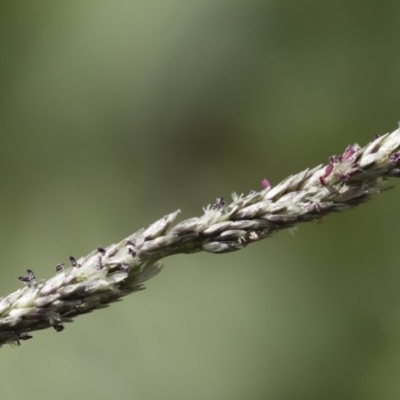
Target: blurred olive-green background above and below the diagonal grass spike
{"x": 114, "y": 113}
